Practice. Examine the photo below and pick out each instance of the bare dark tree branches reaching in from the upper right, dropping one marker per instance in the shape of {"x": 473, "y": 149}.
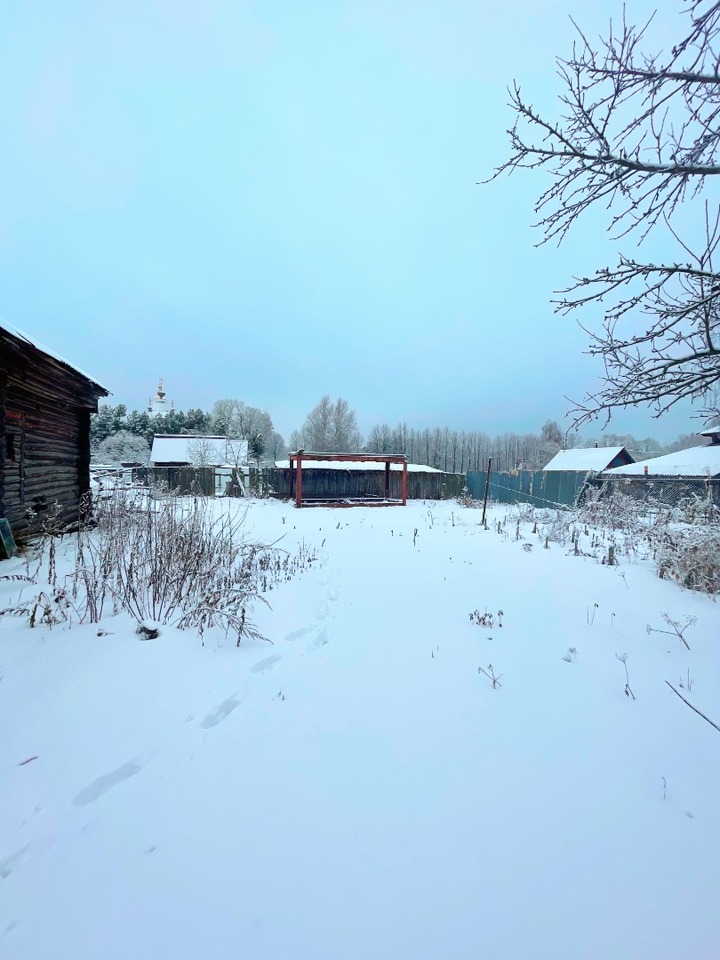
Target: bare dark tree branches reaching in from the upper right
{"x": 638, "y": 138}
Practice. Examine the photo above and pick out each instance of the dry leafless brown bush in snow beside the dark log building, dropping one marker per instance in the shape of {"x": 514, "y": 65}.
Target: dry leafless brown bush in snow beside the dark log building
{"x": 175, "y": 560}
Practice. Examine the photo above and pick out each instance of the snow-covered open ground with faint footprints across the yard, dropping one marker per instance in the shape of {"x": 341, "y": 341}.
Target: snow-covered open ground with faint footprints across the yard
{"x": 357, "y": 789}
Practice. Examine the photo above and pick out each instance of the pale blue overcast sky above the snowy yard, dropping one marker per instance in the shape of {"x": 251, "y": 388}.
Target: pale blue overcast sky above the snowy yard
{"x": 277, "y": 200}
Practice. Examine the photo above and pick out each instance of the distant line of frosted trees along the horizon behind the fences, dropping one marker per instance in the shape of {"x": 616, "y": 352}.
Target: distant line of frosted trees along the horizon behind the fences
{"x": 331, "y": 427}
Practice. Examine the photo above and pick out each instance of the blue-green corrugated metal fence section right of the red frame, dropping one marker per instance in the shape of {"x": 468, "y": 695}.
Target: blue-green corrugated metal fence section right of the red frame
{"x": 560, "y": 488}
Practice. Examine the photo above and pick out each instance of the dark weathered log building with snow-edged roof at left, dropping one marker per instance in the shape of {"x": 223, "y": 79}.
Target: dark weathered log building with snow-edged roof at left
{"x": 45, "y": 407}
